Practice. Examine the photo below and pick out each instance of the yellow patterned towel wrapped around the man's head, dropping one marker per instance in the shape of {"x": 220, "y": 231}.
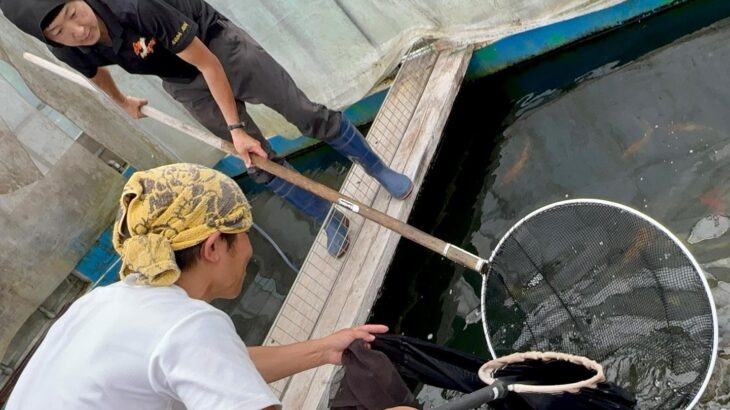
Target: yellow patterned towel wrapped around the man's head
{"x": 170, "y": 208}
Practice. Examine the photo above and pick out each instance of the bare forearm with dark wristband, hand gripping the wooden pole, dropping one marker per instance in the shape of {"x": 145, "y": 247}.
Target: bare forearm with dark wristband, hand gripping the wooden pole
{"x": 211, "y": 68}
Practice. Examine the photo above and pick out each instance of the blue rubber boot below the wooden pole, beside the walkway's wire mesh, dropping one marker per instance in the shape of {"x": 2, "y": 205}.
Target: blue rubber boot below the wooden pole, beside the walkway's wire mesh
{"x": 335, "y": 225}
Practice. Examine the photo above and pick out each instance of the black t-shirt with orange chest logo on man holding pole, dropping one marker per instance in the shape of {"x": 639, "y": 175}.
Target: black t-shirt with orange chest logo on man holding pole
{"x": 145, "y": 35}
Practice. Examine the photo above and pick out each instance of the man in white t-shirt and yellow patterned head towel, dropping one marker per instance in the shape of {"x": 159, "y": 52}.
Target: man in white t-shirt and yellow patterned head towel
{"x": 151, "y": 341}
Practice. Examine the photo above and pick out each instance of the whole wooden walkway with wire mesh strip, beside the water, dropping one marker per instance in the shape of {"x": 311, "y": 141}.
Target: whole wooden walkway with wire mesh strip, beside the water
{"x": 331, "y": 294}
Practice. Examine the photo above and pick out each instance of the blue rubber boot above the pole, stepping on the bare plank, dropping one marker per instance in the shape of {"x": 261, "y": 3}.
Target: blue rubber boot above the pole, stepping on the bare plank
{"x": 352, "y": 144}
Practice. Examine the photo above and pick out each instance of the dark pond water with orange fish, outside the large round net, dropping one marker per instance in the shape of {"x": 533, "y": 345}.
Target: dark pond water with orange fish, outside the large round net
{"x": 652, "y": 134}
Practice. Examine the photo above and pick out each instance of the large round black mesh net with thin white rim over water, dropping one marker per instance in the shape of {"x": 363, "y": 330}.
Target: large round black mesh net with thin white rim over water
{"x": 601, "y": 281}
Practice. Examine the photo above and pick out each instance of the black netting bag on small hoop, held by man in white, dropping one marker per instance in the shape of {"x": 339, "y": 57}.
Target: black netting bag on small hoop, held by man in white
{"x": 377, "y": 377}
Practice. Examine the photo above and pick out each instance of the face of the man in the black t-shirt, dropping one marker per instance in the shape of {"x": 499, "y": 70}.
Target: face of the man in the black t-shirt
{"x": 75, "y": 25}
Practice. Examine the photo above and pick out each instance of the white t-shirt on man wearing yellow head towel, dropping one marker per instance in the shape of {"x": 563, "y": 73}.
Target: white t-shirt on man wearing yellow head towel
{"x": 133, "y": 347}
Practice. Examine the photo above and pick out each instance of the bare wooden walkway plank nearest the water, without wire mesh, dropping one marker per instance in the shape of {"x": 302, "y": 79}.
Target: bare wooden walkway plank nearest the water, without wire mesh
{"x": 361, "y": 276}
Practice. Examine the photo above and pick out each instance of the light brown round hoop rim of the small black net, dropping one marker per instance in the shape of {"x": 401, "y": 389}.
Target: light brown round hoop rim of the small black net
{"x": 486, "y": 372}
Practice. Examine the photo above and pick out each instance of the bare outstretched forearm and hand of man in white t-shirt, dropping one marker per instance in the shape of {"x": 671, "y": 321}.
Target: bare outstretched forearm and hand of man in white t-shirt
{"x": 277, "y": 362}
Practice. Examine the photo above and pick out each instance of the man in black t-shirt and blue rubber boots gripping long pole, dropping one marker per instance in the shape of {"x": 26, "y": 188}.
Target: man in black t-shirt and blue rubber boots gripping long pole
{"x": 210, "y": 66}
